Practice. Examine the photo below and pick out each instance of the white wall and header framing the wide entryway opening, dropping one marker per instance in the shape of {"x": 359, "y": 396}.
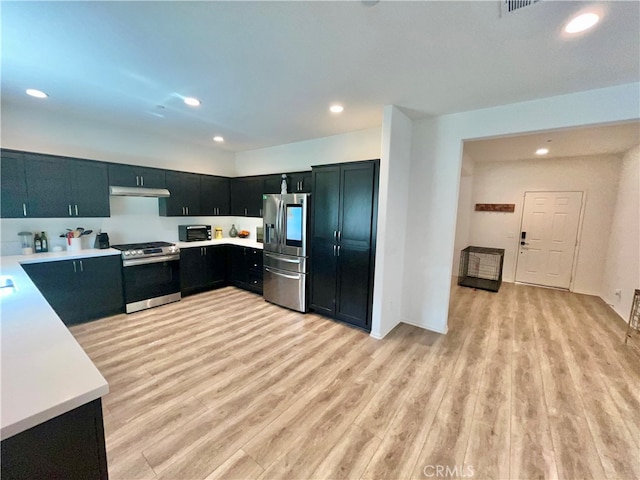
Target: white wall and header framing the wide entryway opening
{"x": 435, "y": 178}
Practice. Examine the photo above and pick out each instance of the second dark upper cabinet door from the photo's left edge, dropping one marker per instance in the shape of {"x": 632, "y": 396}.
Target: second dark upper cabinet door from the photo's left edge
{"x": 50, "y": 182}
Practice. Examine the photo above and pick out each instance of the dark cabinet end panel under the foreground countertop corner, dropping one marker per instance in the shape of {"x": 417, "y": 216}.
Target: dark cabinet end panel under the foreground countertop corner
{"x": 70, "y": 446}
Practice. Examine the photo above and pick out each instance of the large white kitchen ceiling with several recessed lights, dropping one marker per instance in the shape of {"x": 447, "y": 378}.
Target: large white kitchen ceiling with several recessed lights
{"x": 266, "y": 72}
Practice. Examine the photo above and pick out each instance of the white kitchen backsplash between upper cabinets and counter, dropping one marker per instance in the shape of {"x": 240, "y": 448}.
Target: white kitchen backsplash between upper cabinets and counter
{"x": 133, "y": 219}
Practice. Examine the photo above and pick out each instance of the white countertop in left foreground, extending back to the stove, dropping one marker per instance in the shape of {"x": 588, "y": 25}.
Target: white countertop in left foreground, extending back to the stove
{"x": 44, "y": 371}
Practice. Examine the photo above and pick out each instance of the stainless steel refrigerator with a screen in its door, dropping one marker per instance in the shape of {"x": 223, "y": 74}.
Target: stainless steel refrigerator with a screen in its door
{"x": 285, "y": 220}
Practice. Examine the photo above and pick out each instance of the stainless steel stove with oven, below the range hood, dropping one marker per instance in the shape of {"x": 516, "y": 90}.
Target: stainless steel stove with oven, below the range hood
{"x": 151, "y": 274}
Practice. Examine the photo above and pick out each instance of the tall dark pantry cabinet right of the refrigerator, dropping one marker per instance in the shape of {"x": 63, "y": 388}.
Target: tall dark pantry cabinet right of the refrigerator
{"x": 345, "y": 201}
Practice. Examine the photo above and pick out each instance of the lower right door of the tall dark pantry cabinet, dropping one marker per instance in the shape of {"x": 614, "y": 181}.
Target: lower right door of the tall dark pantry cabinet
{"x": 352, "y": 297}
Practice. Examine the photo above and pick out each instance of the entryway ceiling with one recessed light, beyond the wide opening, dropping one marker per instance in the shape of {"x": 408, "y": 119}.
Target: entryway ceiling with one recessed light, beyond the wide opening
{"x": 606, "y": 139}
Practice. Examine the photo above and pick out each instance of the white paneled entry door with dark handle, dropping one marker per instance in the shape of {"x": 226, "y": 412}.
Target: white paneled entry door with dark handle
{"x": 548, "y": 238}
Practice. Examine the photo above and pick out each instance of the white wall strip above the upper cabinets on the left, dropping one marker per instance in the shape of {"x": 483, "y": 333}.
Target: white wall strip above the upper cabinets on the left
{"x": 45, "y": 131}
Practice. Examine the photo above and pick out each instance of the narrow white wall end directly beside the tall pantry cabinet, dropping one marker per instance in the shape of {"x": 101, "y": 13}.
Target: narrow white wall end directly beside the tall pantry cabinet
{"x": 395, "y": 161}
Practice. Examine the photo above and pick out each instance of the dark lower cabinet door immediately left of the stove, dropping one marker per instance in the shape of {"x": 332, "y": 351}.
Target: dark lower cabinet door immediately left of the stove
{"x": 99, "y": 293}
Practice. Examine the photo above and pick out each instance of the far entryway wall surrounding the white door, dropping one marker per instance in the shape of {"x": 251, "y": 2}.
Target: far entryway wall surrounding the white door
{"x": 506, "y": 182}
